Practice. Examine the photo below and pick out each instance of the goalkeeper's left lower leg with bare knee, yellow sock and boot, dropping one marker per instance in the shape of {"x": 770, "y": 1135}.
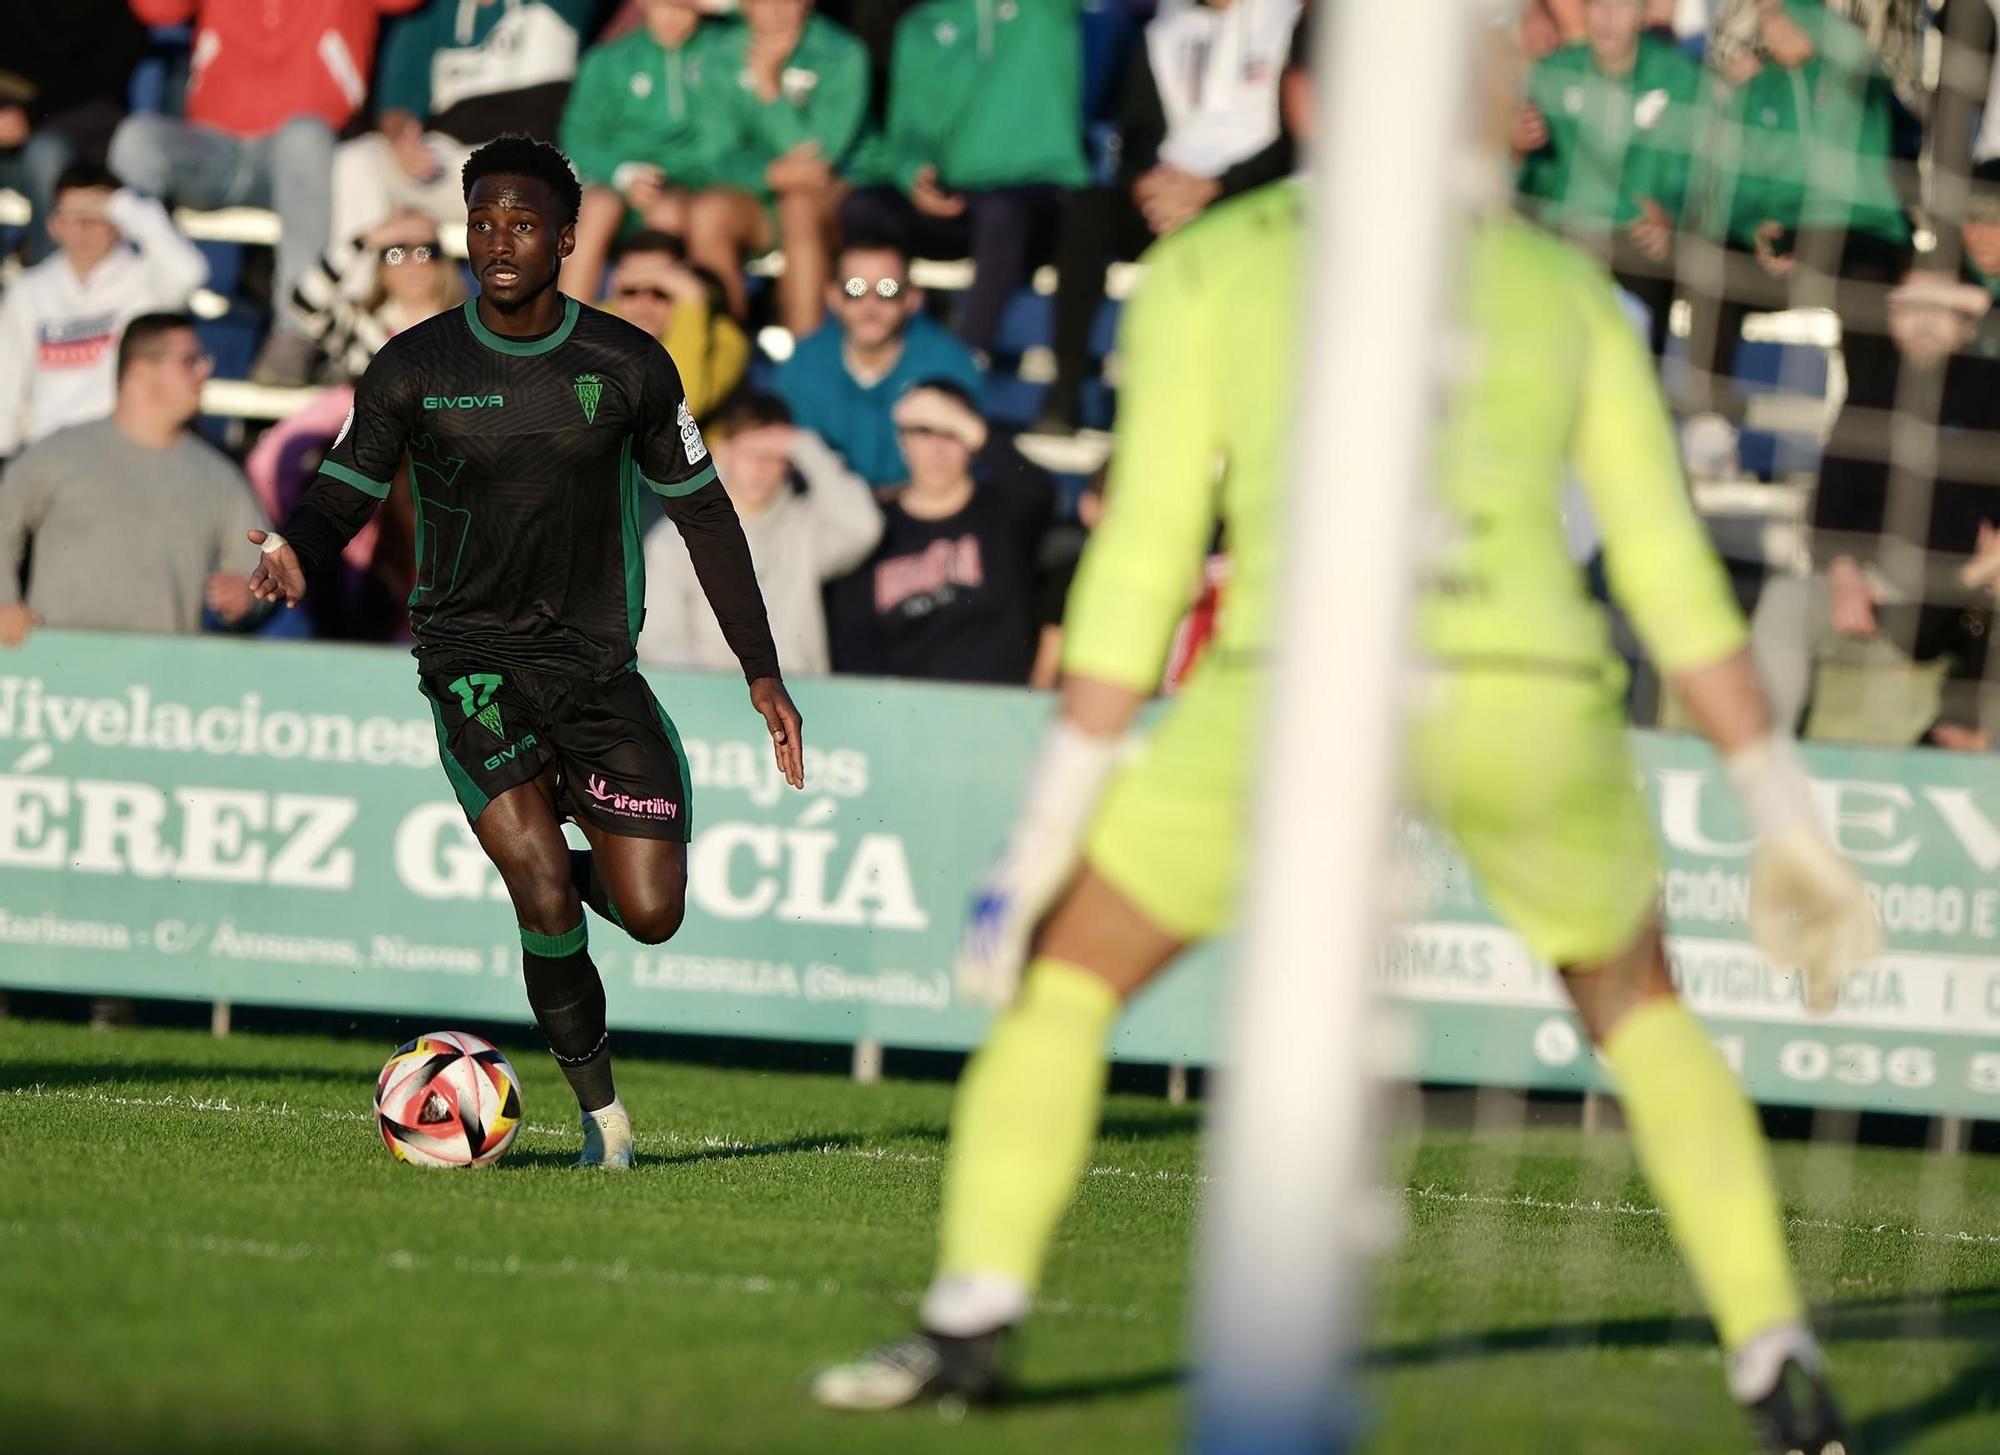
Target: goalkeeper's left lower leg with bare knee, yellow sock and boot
{"x": 1023, "y": 1126}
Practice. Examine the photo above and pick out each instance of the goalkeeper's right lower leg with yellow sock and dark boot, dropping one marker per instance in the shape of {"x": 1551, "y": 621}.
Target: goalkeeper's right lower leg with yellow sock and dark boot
{"x": 1703, "y": 1150}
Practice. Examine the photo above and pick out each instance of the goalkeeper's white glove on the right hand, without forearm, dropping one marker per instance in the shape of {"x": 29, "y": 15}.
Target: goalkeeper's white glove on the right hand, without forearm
{"x": 1807, "y": 904}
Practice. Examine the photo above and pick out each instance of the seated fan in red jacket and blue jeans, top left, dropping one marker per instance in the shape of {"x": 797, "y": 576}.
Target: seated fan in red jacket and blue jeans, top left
{"x": 269, "y": 89}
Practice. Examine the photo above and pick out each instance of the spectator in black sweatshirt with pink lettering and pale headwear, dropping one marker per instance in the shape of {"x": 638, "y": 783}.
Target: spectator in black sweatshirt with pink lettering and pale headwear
{"x": 951, "y": 591}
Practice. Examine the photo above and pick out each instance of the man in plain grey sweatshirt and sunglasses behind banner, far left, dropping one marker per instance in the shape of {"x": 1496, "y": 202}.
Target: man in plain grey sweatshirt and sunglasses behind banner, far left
{"x": 137, "y": 525}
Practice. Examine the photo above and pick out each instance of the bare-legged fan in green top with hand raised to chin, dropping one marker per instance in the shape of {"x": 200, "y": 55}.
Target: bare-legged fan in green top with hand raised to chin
{"x": 787, "y": 95}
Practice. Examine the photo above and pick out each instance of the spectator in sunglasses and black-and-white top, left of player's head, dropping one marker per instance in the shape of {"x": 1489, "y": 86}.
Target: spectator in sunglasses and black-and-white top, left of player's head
{"x": 375, "y": 287}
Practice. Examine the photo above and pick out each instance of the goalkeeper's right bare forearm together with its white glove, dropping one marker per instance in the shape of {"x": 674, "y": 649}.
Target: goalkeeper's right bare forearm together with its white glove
{"x": 1807, "y": 904}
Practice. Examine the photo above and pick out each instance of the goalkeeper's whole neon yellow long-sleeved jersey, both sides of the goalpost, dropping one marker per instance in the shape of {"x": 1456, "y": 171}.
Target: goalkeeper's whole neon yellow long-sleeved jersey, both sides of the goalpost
{"x": 1559, "y": 383}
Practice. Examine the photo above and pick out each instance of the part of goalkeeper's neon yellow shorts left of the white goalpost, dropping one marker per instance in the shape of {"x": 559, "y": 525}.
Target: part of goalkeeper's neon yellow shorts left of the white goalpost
{"x": 1169, "y": 832}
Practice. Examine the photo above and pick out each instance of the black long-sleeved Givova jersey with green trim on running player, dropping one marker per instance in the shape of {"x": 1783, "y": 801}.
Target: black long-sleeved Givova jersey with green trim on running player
{"x": 535, "y": 467}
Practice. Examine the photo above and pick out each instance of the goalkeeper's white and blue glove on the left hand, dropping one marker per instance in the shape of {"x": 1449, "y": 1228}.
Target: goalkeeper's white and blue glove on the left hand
{"x": 1041, "y": 856}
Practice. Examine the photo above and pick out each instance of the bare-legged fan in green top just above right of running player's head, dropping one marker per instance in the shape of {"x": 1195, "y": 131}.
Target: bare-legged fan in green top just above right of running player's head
{"x": 641, "y": 133}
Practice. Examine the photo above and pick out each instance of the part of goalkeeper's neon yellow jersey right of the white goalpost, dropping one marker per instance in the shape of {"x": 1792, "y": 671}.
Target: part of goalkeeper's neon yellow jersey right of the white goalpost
{"x": 1561, "y": 387}
